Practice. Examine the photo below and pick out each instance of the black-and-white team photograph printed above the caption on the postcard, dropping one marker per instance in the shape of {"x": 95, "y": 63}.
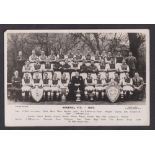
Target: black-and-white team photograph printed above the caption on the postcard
{"x": 76, "y": 68}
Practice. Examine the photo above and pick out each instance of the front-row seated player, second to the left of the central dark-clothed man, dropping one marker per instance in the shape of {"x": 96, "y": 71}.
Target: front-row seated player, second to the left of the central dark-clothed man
{"x": 55, "y": 87}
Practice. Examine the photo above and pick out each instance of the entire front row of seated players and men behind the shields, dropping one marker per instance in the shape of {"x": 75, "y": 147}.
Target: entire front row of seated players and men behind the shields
{"x": 90, "y": 88}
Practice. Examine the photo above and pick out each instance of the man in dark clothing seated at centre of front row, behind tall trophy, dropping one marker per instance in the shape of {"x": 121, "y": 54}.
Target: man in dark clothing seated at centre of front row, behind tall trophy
{"x": 77, "y": 83}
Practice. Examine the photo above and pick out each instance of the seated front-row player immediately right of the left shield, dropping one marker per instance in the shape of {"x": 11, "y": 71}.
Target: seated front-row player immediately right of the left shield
{"x": 46, "y": 86}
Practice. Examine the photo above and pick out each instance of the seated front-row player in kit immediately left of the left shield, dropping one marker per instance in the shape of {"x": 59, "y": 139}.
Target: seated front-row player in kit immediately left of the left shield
{"x": 26, "y": 86}
